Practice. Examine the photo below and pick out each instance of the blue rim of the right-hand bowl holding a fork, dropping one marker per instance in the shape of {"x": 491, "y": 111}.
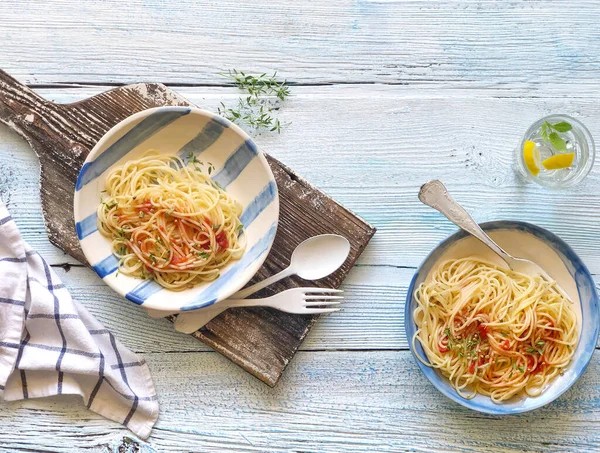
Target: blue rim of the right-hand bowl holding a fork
{"x": 558, "y": 245}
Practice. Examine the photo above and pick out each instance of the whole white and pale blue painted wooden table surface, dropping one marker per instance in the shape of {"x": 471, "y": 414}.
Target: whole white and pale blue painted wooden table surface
{"x": 386, "y": 95}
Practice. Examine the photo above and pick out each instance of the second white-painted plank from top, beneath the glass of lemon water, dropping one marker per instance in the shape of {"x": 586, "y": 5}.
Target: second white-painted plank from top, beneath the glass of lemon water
{"x": 371, "y": 147}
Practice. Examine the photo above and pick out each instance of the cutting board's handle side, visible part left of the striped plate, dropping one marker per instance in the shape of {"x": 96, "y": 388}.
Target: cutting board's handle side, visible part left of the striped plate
{"x": 62, "y": 137}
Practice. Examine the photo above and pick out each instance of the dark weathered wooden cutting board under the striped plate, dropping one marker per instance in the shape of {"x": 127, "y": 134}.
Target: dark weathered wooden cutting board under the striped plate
{"x": 260, "y": 340}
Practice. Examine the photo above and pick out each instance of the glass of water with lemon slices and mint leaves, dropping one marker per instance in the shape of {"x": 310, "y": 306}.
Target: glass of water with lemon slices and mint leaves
{"x": 557, "y": 151}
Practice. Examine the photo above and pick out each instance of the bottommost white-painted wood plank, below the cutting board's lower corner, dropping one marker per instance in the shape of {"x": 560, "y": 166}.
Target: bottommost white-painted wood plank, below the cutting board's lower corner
{"x": 327, "y": 402}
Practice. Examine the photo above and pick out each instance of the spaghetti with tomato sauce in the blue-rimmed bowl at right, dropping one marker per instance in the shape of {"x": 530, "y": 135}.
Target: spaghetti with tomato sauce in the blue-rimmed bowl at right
{"x": 492, "y": 331}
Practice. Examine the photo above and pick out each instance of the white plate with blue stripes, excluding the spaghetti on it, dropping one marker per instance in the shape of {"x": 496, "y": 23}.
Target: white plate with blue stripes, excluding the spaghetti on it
{"x": 240, "y": 168}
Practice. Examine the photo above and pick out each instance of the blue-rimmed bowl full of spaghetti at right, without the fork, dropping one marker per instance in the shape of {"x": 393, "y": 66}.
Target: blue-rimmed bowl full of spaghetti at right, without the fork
{"x": 496, "y": 341}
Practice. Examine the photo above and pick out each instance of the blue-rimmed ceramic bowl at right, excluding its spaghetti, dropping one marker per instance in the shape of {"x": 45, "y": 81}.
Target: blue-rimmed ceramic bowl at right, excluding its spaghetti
{"x": 560, "y": 261}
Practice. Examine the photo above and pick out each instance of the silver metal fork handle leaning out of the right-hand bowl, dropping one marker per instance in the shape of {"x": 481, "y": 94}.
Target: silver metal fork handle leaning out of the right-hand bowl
{"x": 435, "y": 194}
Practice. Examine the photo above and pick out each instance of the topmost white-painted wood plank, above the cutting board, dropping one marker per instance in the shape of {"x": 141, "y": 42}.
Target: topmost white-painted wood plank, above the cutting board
{"x": 462, "y": 43}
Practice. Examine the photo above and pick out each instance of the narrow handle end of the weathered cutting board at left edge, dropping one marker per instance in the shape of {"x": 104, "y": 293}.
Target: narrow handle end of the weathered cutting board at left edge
{"x": 17, "y": 103}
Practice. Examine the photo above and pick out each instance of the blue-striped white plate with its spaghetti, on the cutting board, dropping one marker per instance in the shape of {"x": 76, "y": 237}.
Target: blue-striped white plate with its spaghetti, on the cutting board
{"x": 176, "y": 209}
